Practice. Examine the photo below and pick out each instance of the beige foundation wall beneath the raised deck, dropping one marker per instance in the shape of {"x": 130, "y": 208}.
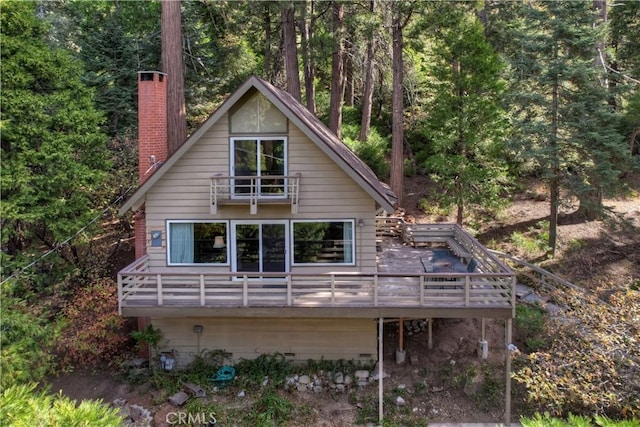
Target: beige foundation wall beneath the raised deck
{"x": 298, "y": 339}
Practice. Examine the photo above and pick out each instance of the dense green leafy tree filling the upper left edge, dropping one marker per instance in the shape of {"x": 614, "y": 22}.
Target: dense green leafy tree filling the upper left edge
{"x": 53, "y": 154}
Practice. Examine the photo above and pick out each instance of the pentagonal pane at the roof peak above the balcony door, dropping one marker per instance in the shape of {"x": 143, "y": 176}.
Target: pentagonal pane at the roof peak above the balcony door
{"x": 258, "y": 115}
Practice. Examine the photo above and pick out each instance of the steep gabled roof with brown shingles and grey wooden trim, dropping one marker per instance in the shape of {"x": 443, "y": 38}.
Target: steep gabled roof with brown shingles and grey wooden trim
{"x": 309, "y": 124}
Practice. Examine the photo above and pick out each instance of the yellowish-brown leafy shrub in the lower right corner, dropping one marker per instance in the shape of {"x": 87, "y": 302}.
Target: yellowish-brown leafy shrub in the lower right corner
{"x": 592, "y": 361}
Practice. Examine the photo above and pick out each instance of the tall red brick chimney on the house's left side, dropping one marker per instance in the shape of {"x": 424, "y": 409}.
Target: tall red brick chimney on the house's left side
{"x": 152, "y": 140}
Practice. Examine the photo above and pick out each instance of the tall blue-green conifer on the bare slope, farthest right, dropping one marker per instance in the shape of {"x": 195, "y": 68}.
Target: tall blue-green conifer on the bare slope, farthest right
{"x": 564, "y": 121}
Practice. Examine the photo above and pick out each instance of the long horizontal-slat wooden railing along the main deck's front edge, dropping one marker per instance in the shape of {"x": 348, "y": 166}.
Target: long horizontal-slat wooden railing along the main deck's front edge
{"x": 138, "y": 287}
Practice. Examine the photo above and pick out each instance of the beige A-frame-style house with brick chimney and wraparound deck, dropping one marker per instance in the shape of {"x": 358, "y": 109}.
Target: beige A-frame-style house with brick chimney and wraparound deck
{"x": 258, "y": 235}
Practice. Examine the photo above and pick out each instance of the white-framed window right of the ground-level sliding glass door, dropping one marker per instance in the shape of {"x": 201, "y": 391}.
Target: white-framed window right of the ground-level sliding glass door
{"x": 323, "y": 242}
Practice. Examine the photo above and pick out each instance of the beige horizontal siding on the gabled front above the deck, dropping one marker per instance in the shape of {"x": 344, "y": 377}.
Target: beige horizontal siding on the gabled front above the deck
{"x": 326, "y": 193}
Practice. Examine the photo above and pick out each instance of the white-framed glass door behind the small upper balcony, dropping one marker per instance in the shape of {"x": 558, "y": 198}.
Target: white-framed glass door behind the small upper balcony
{"x": 254, "y": 160}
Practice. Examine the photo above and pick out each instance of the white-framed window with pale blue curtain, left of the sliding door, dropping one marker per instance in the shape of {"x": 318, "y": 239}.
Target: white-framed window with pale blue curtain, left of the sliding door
{"x": 197, "y": 243}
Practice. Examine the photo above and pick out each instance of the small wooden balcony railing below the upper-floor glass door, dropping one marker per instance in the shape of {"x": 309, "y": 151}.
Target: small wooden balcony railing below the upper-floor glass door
{"x": 254, "y": 190}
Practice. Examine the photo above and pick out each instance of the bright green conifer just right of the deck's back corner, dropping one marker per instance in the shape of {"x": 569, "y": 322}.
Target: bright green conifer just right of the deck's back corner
{"x": 465, "y": 123}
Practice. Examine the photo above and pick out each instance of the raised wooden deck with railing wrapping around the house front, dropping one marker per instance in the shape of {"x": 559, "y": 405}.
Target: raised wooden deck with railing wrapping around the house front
{"x": 399, "y": 287}
